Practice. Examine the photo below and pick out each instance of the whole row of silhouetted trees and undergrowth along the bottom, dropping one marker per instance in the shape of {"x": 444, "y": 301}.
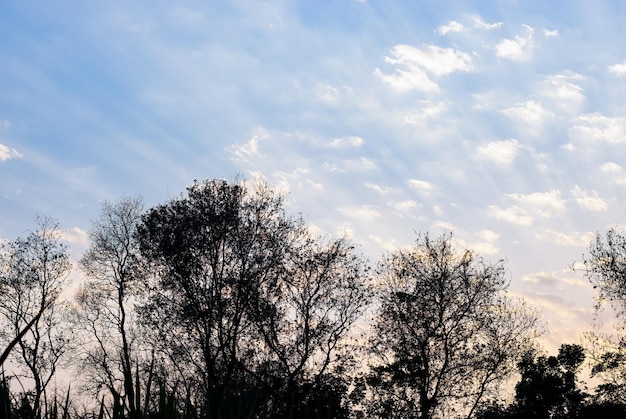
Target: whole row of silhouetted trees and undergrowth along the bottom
{"x": 219, "y": 304}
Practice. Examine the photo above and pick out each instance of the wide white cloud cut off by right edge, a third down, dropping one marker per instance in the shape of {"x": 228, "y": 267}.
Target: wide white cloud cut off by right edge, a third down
{"x": 597, "y": 127}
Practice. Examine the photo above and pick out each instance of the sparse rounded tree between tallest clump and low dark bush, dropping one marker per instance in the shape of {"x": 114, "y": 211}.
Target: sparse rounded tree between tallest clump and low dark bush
{"x": 445, "y": 334}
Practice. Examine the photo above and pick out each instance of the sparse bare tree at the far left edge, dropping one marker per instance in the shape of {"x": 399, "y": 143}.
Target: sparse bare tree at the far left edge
{"x": 33, "y": 272}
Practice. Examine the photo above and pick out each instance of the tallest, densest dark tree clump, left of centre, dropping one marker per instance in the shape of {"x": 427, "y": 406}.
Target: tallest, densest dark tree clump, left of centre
{"x": 259, "y": 308}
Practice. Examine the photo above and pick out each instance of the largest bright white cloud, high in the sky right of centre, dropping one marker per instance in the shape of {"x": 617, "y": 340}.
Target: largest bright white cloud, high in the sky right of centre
{"x": 414, "y": 66}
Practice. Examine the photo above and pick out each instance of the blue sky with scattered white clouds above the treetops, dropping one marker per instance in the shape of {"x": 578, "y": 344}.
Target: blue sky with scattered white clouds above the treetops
{"x": 502, "y": 121}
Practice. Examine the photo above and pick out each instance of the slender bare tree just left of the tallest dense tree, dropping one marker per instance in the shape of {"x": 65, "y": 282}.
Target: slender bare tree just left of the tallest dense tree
{"x": 111, "y": 265}
